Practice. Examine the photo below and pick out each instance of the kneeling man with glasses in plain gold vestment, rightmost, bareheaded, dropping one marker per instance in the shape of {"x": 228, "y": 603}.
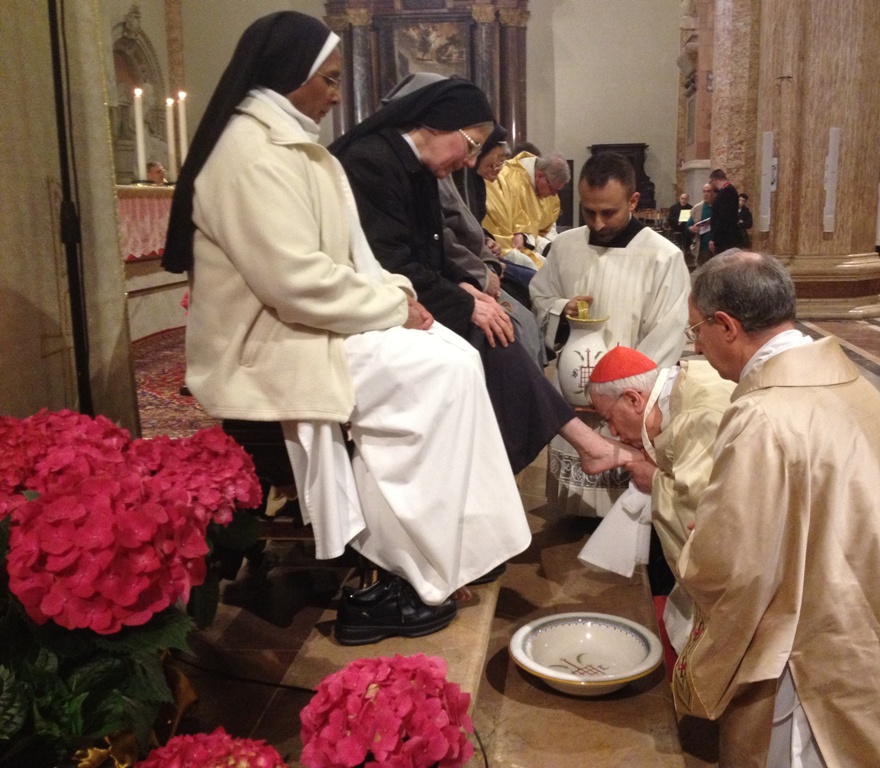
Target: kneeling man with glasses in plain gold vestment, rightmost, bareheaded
{"x": 782, "y": 561}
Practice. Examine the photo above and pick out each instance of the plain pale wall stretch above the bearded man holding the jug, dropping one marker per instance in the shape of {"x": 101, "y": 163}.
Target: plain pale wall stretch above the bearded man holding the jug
{"x": 606, "y": 73}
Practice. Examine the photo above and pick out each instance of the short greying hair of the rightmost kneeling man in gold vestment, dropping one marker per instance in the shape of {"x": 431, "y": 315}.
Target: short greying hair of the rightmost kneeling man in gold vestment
{"x": 751, "y": 287}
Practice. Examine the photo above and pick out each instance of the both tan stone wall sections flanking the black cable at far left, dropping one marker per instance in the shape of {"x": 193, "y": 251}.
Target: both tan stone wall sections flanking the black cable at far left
{"x": 35, "y": 327}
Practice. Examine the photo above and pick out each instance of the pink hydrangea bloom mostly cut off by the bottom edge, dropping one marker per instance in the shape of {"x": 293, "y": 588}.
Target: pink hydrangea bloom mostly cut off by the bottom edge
{"x": 213, "y": 750}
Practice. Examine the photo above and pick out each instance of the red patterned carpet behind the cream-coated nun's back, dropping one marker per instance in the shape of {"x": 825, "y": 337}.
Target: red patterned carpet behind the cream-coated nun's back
{"x": 159, "y": 372}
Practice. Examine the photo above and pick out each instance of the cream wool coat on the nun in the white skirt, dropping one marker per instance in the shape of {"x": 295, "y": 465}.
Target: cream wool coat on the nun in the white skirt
{"x": 274, "y": 291}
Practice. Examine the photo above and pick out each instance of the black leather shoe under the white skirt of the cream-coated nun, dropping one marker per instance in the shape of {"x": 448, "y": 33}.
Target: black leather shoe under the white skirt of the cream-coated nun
{"x": 389, "y": 608}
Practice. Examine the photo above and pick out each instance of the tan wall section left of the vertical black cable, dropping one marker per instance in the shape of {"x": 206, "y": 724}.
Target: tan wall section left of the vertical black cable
{"x": 36, "y": 352}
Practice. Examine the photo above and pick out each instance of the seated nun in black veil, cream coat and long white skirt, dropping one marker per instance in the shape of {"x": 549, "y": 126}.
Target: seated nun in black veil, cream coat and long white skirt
{"x": 292, "y": 320}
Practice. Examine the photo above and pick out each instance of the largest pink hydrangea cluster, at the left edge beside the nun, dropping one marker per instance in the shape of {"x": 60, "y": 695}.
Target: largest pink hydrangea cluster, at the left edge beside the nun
{"x": 118, "y": 530}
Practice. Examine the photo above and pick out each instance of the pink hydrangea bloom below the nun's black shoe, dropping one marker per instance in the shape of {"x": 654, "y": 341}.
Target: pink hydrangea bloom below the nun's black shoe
{"x": 397, "y": 712}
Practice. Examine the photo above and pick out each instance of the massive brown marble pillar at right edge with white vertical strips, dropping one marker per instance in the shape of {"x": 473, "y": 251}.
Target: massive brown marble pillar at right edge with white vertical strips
{"x": 817, "y": 94}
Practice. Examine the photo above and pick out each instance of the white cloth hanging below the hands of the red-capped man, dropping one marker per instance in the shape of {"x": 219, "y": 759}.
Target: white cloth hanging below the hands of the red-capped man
{"x": 623, "y": 537}
